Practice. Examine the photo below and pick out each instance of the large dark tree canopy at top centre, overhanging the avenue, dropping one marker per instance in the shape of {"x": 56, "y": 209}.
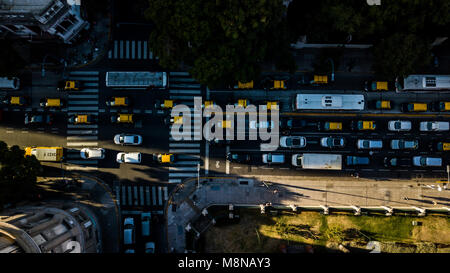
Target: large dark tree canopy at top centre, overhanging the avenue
{"x": 221, "y": 41}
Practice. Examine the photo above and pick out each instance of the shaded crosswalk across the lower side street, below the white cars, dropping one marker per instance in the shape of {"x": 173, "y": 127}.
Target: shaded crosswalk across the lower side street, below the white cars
{"x": 132, "y": 196}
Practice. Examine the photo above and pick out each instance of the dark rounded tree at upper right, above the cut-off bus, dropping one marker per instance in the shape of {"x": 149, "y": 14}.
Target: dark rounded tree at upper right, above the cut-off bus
{"x": 401, "y": 55}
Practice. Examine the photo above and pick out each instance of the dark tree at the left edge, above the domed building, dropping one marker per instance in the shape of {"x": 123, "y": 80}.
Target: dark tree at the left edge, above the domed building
{"x": 18, "y": 175}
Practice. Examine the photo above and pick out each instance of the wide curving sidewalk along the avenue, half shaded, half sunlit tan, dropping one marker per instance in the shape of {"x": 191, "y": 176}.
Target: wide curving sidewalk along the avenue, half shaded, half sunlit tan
{"x": 187, "y": 202}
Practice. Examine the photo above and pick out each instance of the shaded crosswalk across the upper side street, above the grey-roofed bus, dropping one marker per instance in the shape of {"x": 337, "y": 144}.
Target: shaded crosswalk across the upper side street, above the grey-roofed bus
{"x": 131, "y": 50}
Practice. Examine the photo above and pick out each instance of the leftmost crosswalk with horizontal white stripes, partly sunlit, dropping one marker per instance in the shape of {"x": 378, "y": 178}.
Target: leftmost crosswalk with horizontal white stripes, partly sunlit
{"x": 82, "y": 135}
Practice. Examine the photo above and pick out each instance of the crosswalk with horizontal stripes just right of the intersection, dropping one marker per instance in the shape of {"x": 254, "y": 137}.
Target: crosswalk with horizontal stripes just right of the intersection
{"x": 182, "y": 90}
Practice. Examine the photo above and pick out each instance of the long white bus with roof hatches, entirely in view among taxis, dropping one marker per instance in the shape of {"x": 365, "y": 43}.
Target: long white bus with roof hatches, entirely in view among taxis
{"x": 329, "y": 102}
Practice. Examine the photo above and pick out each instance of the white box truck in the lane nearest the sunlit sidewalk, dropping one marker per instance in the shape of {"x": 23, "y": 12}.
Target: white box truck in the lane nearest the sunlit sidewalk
{"x": 318, "y": 161}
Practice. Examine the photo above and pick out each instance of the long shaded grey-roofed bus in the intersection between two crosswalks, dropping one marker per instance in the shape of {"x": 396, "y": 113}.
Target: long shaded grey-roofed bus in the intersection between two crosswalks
{"x": 137, "y": 79}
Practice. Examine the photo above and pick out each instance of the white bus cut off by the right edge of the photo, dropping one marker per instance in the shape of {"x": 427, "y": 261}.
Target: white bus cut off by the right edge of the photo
{"x": 426, "y": 83}
